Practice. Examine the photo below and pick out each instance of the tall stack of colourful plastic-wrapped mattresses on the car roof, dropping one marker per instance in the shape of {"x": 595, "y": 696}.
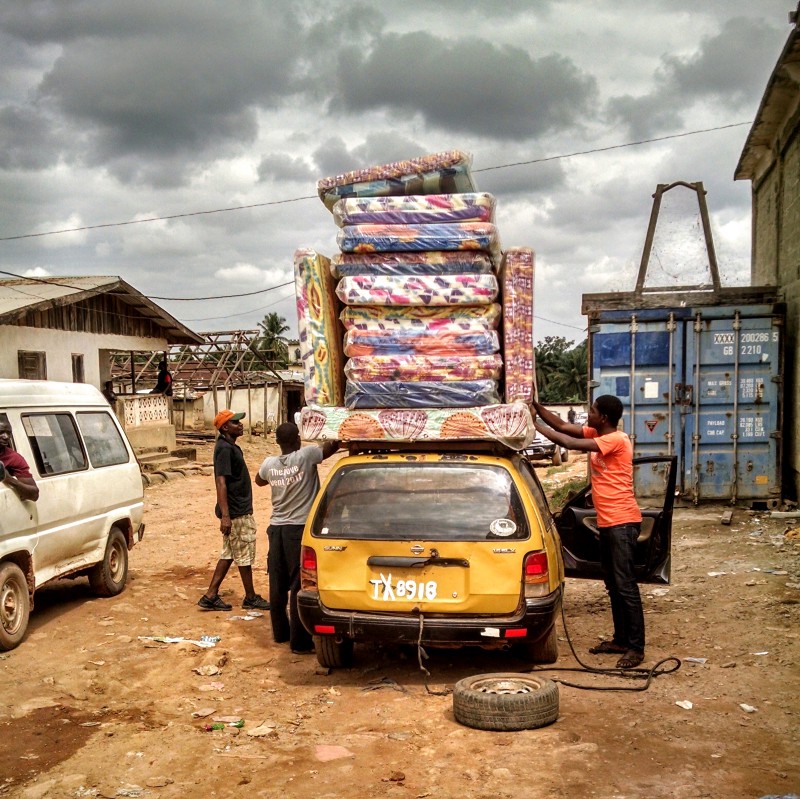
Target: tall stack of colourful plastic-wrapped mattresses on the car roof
{"x": 424, "y": 287}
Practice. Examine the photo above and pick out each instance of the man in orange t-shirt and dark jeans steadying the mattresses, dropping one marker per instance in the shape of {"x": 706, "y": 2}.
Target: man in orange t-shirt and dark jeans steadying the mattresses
{"x": 618, "y": 516}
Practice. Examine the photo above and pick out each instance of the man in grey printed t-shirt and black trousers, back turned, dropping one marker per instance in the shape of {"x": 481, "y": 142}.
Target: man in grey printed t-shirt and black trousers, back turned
{"x": 294, "y": 481}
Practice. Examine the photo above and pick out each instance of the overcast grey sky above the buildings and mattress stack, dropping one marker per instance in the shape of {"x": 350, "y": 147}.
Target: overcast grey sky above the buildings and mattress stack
{"x": 115, "y": 111}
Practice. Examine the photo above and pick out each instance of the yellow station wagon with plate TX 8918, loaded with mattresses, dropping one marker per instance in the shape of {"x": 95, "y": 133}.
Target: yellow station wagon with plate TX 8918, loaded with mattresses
{"x": 434, "y": 547}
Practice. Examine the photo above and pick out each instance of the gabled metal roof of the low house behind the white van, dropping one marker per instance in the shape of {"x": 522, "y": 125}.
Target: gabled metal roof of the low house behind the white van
{"x": 18, "y": 296}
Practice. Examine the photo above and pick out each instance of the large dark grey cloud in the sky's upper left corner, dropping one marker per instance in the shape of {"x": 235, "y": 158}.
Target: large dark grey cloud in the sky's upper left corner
{"x": 176, "y": 83}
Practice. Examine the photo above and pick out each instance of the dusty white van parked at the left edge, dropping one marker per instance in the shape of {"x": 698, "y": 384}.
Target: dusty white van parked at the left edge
{"x": 90, "y": 506}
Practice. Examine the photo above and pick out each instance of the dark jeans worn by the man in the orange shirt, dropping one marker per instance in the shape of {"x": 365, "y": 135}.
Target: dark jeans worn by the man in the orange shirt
{"x": 617, "y": 545}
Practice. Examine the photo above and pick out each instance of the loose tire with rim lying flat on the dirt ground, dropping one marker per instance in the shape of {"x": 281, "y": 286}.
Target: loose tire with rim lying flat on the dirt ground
{"x": 505, "y": 702}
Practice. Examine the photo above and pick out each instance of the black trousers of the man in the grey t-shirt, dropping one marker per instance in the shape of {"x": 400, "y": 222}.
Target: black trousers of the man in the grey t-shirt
{"x": 283, "y": 563}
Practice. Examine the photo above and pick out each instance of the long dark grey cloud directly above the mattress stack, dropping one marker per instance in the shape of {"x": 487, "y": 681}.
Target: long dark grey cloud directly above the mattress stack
{"x": 466, "y": 85}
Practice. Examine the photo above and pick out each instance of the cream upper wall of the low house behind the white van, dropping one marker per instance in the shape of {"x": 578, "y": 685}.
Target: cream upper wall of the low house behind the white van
{"x": 59, "y": 346}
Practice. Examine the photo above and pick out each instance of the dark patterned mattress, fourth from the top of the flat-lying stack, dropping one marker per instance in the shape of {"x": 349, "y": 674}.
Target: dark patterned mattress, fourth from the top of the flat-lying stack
{"x": 463, "y": 262}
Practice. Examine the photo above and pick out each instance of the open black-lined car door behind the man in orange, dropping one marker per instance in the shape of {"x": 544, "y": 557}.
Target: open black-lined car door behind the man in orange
{"x": 580, "y": 537}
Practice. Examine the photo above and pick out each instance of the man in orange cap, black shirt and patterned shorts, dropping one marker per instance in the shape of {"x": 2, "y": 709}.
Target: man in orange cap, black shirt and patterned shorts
{"x": 234, "y": 509}
